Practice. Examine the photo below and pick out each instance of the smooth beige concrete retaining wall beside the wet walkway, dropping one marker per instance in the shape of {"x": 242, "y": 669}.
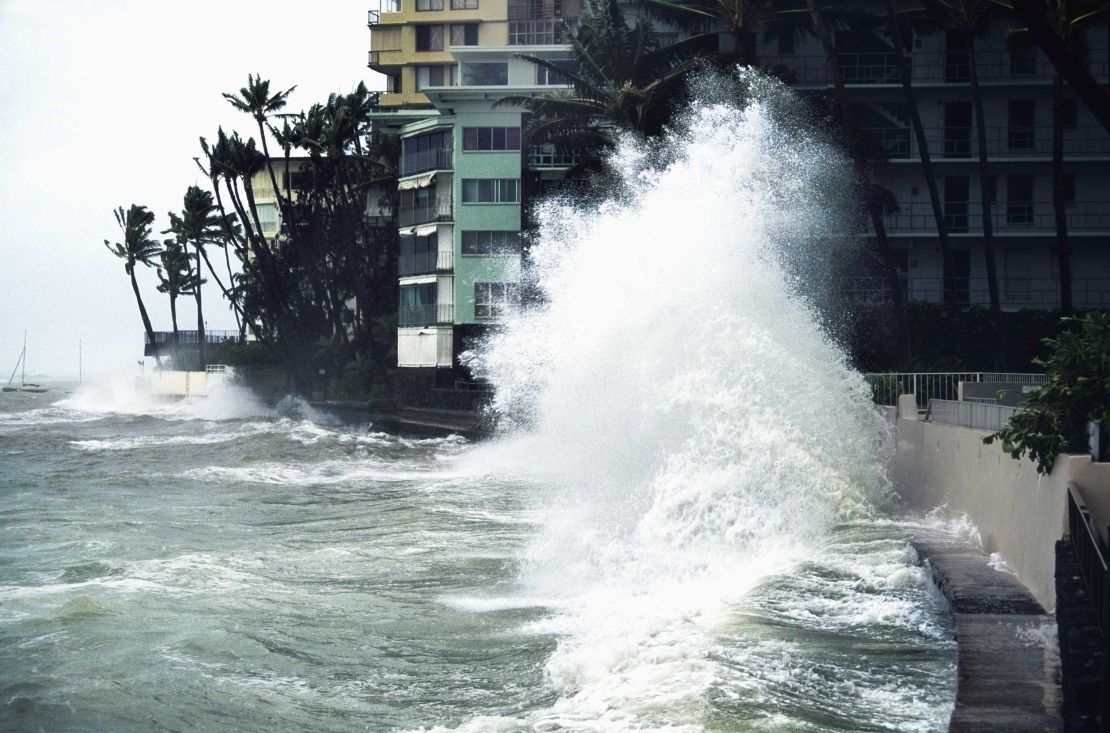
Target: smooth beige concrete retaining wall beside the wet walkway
{"x": 1020, "y": 514}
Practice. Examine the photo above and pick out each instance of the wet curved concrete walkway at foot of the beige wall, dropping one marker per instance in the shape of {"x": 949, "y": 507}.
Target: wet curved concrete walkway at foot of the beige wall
{"x": 1008, "y": 669}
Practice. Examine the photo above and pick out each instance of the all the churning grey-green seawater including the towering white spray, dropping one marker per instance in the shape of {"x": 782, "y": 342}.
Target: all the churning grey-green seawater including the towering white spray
{"x": 683, "y": 529}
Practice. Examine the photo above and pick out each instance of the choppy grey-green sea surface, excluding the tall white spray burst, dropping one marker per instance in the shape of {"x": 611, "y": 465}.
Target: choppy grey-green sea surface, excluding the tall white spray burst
{"x": 227, "y": 567}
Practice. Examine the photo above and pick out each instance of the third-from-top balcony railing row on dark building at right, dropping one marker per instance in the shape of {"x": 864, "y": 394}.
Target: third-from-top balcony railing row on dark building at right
{"x": 1008, "y": 217}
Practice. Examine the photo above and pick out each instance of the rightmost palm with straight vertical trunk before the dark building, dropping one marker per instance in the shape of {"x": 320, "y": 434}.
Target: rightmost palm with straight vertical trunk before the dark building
{"x": 1066, "y": 22}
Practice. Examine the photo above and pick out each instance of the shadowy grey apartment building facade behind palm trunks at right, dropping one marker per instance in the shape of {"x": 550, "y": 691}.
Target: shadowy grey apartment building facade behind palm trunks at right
{"x": 1017, "y": 88}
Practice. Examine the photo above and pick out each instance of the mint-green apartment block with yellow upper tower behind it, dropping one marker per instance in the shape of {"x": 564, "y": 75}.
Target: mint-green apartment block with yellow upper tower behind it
{"x": 466, "y": 170}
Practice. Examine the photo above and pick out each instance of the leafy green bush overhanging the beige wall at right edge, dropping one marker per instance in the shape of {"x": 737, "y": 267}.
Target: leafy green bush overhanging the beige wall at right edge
{"x": 1078, "y": 391}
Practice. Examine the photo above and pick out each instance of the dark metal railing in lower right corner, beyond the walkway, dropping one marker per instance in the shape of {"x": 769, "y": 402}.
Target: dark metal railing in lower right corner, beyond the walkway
{"x": 1092, "y": 555}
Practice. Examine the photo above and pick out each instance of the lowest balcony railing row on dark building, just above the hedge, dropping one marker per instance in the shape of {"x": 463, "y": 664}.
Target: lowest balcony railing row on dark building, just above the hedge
{"x": 1016, "y": 293}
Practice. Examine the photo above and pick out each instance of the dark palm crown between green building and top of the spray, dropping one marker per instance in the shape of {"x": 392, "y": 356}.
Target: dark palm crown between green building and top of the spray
{"x": 622, "y": 78}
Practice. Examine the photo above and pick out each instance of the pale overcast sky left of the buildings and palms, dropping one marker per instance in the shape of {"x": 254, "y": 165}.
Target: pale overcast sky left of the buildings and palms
{"x": 102, "y": 106}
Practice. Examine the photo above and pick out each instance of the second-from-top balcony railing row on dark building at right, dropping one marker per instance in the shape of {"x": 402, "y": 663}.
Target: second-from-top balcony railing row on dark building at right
{"x": 1002, "y": 142}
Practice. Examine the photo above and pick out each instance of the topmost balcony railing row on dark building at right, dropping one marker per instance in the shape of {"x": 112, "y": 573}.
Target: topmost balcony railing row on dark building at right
{"x": 926, "y": 67}
